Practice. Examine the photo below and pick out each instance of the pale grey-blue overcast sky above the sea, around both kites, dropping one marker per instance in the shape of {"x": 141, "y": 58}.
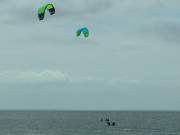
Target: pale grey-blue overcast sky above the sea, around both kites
{"x": 130, "y": 61}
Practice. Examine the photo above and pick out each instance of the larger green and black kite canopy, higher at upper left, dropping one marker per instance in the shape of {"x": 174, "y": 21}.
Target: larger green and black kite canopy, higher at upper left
{"x": 42, "y": 10}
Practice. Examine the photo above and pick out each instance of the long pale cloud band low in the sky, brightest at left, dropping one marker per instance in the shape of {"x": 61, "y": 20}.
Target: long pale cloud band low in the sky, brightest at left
{"x": 16, "y": 76}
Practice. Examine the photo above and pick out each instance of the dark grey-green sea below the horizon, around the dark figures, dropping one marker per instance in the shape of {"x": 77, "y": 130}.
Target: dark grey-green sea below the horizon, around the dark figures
{"x": 89, "y": 123}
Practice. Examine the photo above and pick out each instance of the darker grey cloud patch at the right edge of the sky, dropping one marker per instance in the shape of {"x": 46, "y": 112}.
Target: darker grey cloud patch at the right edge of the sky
{"x": 164, "y": 29}
